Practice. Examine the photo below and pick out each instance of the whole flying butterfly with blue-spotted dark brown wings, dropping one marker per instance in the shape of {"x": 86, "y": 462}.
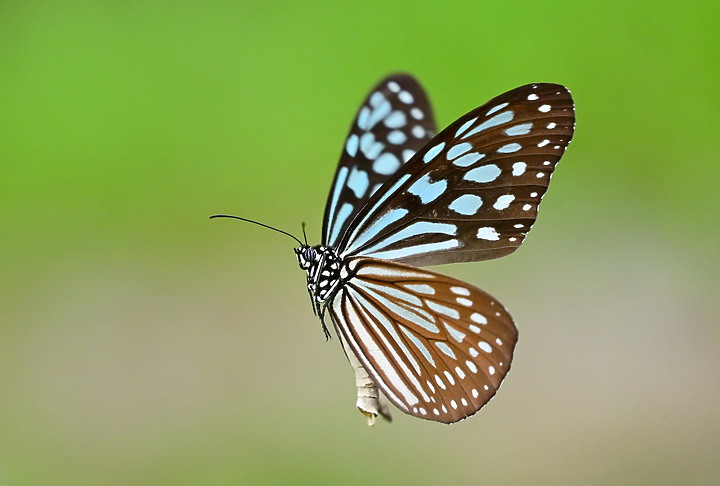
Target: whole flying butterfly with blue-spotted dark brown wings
{"x": 404, "y": 197}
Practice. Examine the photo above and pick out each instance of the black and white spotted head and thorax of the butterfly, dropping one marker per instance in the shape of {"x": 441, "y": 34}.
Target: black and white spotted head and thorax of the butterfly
{"x": 324, "y": 269}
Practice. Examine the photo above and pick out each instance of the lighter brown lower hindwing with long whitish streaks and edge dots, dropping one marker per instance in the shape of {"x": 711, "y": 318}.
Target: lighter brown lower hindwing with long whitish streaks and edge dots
{"x": 438, "y": 348}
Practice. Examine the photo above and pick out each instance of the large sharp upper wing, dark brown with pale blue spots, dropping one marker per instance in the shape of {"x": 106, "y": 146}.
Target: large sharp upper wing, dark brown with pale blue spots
{"x": 472, "y": 193}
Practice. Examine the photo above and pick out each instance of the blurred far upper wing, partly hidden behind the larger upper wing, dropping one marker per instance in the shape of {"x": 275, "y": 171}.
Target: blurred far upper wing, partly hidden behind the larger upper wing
{"x": 394, "y": 121}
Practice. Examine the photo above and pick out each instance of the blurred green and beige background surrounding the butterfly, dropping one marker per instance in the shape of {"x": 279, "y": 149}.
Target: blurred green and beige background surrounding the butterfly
{"x": 141, "y": 343}
